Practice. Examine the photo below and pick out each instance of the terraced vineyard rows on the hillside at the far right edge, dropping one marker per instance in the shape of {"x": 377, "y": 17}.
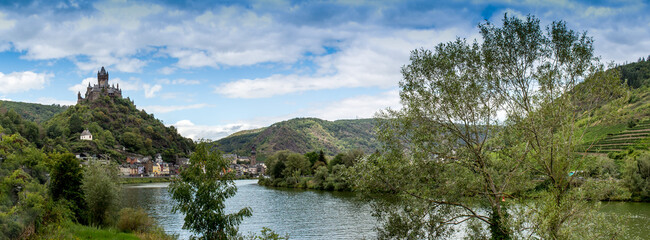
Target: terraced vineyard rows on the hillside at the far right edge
{"x": 635, "y": 137}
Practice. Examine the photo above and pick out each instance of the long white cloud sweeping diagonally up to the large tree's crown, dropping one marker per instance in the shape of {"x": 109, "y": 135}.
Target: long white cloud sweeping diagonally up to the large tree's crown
{"x": 370, "y": 60}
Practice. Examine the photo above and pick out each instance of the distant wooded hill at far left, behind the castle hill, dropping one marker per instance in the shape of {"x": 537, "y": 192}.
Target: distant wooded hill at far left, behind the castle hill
{"x": 32, "y": 111}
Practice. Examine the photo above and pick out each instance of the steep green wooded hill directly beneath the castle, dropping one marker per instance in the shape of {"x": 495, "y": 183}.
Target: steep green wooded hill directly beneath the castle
{"x": 118, "y": 129}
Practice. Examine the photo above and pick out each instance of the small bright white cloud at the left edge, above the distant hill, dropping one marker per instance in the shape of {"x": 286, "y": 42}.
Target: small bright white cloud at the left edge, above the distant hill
{"x": 16, "y": 82}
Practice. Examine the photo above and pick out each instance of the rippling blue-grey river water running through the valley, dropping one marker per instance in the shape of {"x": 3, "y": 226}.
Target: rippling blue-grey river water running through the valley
{"x": 307, "y": 214}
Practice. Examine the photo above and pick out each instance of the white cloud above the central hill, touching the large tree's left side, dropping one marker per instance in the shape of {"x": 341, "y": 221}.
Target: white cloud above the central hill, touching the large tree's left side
{"x": 364, "y": 106}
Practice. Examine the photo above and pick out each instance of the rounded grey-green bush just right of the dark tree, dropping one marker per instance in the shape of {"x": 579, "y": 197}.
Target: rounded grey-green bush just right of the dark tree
{"x": 102, "y": 192}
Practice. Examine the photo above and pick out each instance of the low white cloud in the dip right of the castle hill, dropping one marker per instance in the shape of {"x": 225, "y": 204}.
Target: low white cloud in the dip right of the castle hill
{"x": 213, "y": 132}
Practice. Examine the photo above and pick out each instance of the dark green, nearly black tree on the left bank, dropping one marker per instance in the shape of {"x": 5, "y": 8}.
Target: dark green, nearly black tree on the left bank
{"x": 66, "y": 179}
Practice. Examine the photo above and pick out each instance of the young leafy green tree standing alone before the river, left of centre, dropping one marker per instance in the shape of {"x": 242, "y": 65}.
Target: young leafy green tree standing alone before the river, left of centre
{"x": 201, "y": 191}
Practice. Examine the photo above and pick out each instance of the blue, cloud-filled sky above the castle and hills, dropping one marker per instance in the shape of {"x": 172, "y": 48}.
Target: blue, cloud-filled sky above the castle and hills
{"x": 211, "y": 68}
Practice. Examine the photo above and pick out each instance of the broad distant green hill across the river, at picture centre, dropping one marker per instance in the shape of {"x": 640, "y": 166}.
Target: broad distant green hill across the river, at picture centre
{"x": 304, "y": 135}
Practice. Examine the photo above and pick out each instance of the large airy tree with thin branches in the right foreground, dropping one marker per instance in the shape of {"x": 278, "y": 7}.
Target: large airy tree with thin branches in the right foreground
{"x": 454, "y": 159}
